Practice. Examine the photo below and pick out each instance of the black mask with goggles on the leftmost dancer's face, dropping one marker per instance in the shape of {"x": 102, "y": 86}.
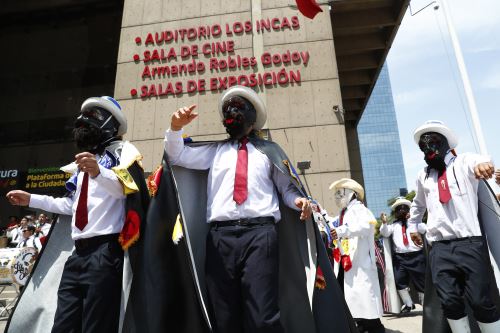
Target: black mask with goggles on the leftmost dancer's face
{"x": 94, "y": 130}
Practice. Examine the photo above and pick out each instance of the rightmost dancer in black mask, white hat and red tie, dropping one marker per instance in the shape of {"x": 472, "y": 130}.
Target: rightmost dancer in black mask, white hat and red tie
{"x": 448, "y": 189}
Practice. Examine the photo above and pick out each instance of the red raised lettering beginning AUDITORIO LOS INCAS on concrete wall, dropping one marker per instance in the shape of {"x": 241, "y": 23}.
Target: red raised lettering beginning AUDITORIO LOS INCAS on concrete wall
{"x": 201, "y": 58}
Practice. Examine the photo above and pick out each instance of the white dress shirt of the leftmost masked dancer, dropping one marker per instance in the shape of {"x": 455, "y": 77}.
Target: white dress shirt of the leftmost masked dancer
{"x": 105, "y": 204}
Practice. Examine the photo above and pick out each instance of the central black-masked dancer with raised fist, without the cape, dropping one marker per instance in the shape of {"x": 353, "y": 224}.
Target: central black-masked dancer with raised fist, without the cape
{"x": 243, "y": 210}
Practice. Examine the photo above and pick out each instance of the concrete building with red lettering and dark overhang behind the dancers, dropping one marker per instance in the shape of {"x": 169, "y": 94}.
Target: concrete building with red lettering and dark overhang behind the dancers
{"x": 315, "y": 77}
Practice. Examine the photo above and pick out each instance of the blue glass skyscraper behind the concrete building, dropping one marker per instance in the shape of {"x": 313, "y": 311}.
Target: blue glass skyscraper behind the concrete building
{"x": 383, "y": 169}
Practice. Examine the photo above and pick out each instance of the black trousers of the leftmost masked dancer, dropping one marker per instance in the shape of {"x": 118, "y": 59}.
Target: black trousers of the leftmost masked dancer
{"x": 90, "y": 290}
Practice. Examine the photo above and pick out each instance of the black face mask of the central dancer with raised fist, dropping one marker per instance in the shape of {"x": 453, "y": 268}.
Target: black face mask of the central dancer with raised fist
{"x": 239, "y": 117}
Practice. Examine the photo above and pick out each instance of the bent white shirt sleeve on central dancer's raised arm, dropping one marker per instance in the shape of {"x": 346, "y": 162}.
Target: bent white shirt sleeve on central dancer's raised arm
{"x": 200, "y": 158}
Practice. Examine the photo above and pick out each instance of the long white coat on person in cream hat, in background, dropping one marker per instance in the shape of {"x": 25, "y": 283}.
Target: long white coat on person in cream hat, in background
{"x": 361, "y": 285}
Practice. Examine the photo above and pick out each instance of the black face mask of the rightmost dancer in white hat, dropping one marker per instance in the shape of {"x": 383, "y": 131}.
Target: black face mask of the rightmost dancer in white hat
{"x": 435, "y": 147}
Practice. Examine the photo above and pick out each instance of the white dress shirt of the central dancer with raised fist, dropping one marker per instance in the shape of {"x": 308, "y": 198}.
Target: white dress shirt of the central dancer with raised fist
{"x": 220, "y": 159}
